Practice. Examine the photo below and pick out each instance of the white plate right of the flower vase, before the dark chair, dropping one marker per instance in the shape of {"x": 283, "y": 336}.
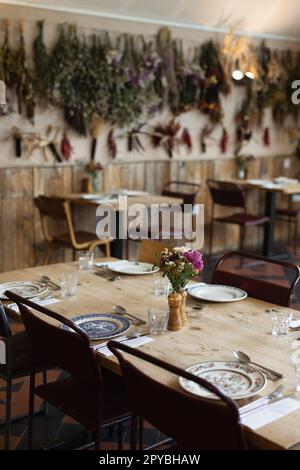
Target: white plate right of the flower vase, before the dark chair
{"x": 216, "y": 293}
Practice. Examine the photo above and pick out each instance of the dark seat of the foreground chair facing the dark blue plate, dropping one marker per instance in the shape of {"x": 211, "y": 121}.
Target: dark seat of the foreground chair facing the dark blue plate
{"x": 78, "y": 398}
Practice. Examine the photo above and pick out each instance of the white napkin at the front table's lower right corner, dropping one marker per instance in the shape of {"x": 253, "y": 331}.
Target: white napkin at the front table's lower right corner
{"x": 258, "y": 419}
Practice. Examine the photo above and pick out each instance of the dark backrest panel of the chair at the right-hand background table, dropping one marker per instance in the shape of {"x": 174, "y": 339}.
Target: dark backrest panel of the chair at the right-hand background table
{"x": 226, "y": 194}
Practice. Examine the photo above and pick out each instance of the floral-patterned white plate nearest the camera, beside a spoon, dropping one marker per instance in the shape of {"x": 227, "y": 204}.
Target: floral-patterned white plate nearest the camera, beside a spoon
{"x": 238, "y": 381}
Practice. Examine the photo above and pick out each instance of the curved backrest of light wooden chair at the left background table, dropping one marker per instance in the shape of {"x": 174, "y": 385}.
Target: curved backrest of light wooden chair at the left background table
{"x": 58, "y": 210}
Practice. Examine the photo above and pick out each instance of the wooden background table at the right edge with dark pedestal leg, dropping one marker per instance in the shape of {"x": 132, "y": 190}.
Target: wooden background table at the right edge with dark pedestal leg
{"x": 287, "y": 189}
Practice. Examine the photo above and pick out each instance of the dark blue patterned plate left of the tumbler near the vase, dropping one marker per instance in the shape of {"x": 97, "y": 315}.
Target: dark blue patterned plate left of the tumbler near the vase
{"x": 102, "y": 325}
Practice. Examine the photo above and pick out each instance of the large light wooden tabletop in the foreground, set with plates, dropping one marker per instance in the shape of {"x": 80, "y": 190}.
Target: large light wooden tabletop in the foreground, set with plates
{"x": 222, "y": 329}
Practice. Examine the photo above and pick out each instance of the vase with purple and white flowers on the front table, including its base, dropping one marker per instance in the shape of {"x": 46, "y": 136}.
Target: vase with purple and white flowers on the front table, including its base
{"x": 179, "y": 265}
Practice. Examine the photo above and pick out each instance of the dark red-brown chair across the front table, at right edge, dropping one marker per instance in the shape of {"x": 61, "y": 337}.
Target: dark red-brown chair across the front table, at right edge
{"x": 250, "y": 273}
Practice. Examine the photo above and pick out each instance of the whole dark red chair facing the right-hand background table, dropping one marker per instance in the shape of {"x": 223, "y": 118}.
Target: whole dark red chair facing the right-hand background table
{"x": 232, "y": 195}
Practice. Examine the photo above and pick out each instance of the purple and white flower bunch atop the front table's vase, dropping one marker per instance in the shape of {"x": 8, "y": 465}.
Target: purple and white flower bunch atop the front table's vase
{"x": 180, "y": 265}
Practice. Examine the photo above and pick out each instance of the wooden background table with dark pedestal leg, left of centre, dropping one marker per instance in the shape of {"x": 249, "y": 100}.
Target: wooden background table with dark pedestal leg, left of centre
{"x": 133, "y": 197}
